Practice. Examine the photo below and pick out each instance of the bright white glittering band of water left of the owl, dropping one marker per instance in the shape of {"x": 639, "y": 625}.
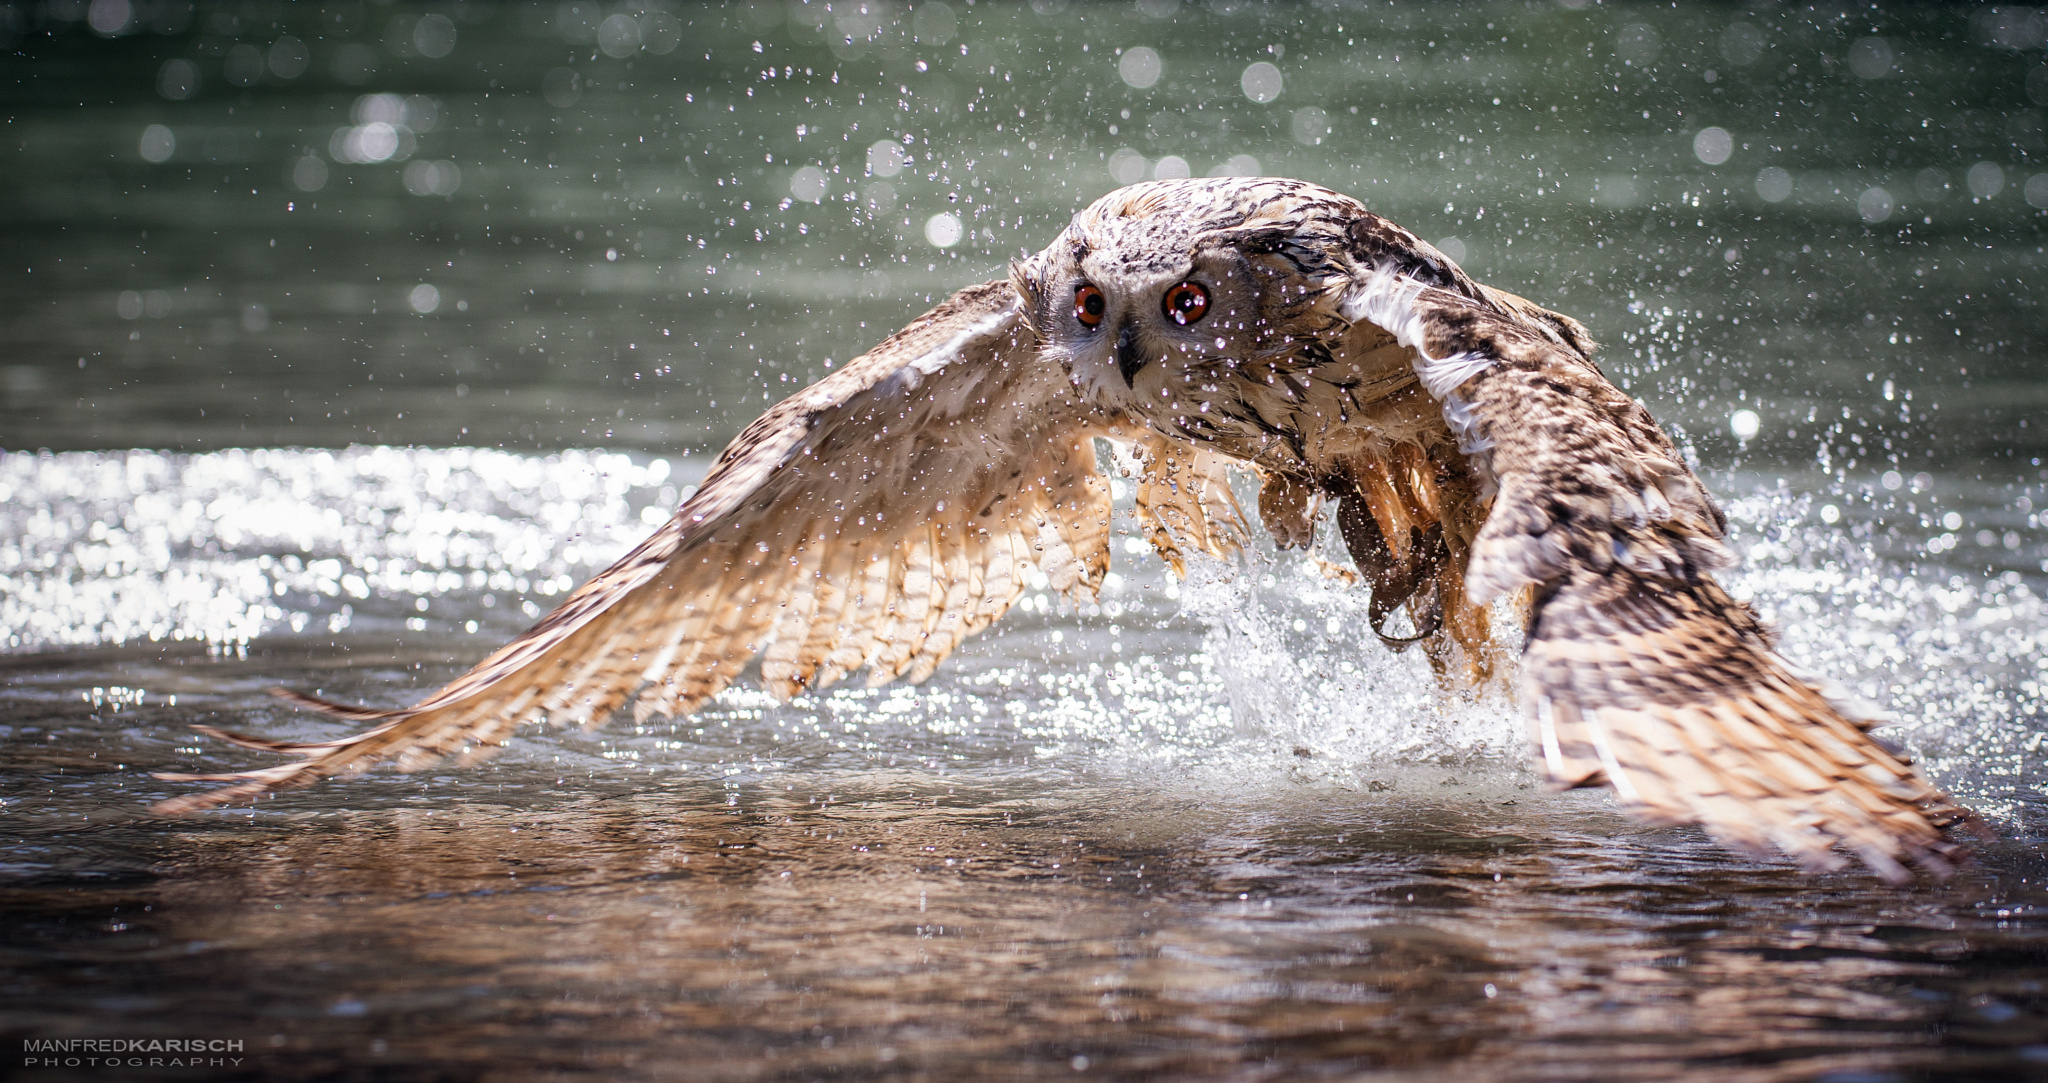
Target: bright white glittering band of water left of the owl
{"x": 112, "y": 548}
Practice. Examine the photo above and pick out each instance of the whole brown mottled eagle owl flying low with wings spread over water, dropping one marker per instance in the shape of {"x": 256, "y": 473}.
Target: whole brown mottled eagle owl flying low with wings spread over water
{"x": 1465, "y": 437}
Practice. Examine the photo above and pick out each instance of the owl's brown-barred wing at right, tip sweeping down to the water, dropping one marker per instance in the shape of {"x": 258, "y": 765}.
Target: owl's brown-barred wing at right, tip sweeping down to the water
{"x": 1639, "y": 670}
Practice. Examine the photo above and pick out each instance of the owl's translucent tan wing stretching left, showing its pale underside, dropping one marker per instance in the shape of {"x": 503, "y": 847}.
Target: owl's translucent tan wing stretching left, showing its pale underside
{"x": 871, "y": 521}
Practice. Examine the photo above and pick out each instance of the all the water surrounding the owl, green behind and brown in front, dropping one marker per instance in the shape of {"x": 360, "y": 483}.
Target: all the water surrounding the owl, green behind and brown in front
{"x": 1193, "y": 832}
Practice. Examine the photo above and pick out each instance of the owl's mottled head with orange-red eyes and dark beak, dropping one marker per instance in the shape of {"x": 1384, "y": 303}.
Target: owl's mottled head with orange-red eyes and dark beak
{"x": 1177, "y": 279}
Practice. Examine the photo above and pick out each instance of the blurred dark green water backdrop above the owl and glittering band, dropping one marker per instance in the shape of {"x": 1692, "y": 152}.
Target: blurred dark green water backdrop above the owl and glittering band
{"x": 540, "y": 226}
